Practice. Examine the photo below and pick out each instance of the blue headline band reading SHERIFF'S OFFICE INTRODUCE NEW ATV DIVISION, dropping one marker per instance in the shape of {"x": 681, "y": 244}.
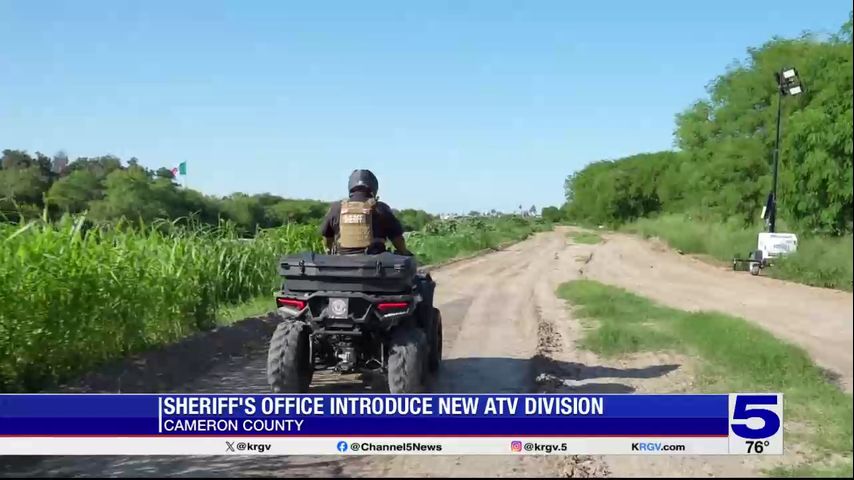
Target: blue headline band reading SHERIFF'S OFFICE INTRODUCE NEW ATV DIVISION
{"x": 648, "y": 416}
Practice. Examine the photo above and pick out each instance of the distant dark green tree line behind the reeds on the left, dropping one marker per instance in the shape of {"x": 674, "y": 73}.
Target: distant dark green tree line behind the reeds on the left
{"x": 108, "y": 190}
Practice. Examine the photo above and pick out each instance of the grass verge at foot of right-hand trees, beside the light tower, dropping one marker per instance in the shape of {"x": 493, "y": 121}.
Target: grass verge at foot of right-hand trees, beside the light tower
{"x": 819, "y": 261}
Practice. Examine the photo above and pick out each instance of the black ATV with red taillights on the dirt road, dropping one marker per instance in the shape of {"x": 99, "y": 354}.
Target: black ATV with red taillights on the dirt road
{"x": 355, "y": 313}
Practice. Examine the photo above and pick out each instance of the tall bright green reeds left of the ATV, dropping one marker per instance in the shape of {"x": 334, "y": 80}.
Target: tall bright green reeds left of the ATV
{"x": 72, "y": 296}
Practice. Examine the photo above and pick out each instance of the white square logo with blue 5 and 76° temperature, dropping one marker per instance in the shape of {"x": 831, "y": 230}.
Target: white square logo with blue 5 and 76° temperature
{"x": 756, "y": 419}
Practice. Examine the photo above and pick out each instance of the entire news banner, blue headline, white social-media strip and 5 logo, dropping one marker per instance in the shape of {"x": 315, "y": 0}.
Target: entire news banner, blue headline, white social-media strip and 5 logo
{"x": 135, "y": 424}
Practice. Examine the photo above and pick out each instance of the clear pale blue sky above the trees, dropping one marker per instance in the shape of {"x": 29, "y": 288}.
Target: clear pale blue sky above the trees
{"x": 456, "y": 105}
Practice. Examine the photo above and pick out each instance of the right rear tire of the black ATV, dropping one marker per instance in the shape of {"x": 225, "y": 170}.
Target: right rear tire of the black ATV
{"x": 406, "y": 360}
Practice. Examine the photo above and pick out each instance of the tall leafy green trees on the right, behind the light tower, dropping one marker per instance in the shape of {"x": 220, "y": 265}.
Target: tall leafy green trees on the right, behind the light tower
{"x": 721, "y": 168}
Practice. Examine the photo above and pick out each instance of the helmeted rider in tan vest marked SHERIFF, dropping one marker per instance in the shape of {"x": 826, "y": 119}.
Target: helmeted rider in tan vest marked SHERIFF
{"x": 361, "y": 224}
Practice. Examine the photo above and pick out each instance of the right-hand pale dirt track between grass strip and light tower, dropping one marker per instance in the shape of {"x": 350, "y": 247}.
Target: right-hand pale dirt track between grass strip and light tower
{"x": 816, "y": 319}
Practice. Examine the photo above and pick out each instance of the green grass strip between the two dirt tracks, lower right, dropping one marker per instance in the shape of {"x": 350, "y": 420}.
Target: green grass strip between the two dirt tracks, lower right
{"x": 733, "y": 355}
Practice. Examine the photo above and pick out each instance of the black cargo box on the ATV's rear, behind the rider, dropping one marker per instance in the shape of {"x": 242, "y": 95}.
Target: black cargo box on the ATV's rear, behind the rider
{"x": 383, "y": 273}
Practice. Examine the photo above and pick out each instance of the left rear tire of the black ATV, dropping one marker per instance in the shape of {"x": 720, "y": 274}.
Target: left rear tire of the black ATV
{"x": 290, "y": 367}
